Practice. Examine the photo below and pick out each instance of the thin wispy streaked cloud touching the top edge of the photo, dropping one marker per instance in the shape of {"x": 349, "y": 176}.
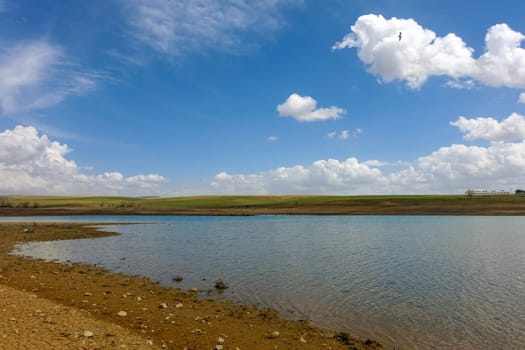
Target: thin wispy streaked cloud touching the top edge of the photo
{"x": 175, "y": 27}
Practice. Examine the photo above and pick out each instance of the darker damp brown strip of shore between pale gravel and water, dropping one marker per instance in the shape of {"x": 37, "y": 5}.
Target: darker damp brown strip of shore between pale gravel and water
{"x": 163, "y": 316}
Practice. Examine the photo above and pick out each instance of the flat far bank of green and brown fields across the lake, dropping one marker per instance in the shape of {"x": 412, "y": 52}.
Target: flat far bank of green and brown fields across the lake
{"x": 253, "y": 205}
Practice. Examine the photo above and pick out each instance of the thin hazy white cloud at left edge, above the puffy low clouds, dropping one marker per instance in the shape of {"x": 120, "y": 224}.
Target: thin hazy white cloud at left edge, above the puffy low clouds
{"x": 36, "y": 74}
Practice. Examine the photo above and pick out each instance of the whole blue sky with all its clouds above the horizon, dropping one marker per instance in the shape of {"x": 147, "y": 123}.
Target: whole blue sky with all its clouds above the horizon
{"x": 194, "y": 97}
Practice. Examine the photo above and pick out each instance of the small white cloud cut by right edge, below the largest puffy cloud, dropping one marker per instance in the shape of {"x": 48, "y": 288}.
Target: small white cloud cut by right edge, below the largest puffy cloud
{"x": 511, "y": 128}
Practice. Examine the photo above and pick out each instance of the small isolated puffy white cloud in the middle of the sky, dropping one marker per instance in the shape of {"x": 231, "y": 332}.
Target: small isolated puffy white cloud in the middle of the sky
{"x": 304, "y": 109}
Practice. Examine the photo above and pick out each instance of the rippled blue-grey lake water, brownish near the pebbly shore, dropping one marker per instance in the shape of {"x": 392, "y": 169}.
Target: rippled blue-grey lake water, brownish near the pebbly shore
{"x": 411, "y": 282}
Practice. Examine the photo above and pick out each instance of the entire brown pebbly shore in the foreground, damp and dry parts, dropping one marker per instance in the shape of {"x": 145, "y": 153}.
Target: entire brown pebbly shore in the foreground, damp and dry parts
{"x": 50, "y": 305}
